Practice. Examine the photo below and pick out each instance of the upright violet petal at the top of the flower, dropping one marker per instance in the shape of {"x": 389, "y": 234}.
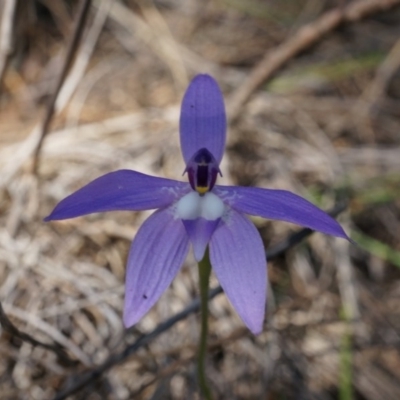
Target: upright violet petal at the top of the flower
{"x": 203, "y": 119}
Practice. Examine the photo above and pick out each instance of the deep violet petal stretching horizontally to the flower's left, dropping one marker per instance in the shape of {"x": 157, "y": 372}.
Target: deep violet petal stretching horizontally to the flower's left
{"x": 120, "y": 190}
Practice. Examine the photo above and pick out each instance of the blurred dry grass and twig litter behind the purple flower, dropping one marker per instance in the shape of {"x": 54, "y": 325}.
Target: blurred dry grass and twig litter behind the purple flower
{"x": 313, "y": 95}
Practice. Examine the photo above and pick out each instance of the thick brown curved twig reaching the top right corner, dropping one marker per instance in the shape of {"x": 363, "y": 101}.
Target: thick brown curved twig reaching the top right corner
{"x": 305, "y": 37}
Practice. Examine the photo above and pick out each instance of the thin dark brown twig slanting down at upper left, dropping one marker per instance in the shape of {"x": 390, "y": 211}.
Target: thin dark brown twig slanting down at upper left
{"x": 80, "y": 23}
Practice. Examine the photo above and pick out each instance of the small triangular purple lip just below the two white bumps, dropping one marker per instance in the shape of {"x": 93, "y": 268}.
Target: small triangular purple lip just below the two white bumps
{"x": 200, "y": 231}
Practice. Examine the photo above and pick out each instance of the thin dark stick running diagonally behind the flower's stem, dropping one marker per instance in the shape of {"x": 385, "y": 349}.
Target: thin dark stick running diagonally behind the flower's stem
{"x": 91, "y": 376}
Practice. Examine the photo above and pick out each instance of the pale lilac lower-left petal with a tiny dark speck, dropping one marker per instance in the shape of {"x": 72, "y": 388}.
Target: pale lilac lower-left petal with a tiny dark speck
{"x": 157, "y": 253}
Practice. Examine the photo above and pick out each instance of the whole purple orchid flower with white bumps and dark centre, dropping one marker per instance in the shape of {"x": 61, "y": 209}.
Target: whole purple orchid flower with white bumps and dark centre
{"x": 197, "y": 212}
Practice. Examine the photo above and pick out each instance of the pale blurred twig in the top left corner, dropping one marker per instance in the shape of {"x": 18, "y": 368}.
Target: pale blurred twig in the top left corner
{"x": 6, "y": 34}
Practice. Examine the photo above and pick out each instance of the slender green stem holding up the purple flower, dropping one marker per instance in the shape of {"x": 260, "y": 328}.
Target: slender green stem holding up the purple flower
{"x": 204, "y": 277}
